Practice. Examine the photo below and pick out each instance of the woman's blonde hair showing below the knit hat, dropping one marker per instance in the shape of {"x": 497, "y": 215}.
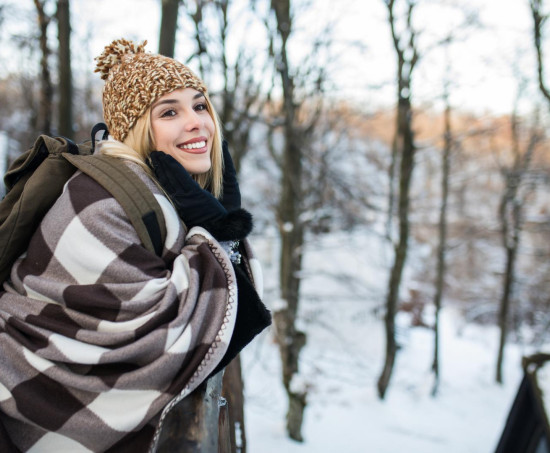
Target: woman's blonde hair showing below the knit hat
{"x": 139, "y": 143}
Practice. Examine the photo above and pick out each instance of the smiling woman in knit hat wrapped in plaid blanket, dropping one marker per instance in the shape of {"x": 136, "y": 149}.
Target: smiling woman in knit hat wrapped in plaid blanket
{"x": 98, "y": 335}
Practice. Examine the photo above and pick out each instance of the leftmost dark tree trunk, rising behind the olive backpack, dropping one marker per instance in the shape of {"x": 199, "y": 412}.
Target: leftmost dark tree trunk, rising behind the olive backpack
{"x": 46, "y": 88}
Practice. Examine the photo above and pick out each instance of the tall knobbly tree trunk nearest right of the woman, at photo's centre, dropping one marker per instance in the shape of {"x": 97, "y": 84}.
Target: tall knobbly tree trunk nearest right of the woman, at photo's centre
{"x": 290, "y": 340}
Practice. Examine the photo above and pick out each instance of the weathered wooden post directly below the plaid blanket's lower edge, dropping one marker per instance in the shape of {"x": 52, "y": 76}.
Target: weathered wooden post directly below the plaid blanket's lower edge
{"x": 192, "y": 426}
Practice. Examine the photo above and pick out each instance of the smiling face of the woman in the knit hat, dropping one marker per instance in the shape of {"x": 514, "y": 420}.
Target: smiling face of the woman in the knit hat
{"x": 183, "y": 128}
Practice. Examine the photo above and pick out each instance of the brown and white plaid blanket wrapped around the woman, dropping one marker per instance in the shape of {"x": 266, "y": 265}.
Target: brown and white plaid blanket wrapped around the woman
{"x": 97, "y": 335}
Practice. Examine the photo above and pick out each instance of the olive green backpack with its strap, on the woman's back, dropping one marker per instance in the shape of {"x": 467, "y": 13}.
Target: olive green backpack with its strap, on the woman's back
{"x": 36, "y": 178}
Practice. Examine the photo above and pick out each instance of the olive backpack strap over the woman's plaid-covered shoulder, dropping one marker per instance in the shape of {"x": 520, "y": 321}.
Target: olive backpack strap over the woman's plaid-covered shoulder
{"x": 135, "y": 197}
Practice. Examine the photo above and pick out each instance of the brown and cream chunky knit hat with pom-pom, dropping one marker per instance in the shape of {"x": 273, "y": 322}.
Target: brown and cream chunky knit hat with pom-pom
{"x": 134, "y": 80}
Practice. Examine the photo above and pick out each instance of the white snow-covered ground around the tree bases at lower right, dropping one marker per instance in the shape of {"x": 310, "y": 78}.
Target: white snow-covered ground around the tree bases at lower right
{"x": 343, "y": 289}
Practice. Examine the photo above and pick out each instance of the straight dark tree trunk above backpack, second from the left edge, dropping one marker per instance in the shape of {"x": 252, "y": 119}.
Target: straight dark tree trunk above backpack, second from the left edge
{"x": 65, "y": 72}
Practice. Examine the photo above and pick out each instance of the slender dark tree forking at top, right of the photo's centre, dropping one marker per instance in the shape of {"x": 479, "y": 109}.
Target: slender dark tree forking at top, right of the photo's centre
{"x": 407, "y": 57}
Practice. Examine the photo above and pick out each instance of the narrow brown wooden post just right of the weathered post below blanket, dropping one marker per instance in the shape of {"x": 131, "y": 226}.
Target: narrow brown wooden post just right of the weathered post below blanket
{"x": 233, "y": 391}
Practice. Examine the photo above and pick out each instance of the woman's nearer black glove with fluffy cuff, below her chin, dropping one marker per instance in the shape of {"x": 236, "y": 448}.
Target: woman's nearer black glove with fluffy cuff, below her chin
{"x": 196, "y": 206}
